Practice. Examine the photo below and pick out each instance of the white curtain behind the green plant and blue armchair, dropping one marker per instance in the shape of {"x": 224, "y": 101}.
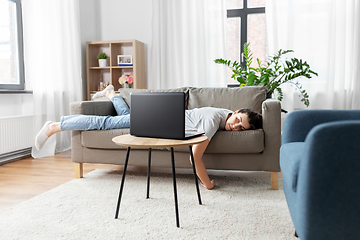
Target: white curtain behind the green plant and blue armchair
{"x": 325, "y": 33}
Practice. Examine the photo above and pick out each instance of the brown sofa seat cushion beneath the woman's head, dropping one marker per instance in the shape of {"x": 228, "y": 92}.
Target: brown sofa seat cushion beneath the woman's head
{"x": 251, "y": 141}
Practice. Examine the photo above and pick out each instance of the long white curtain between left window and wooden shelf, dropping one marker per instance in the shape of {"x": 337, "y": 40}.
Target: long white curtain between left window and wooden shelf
{"x": 52, "y": 64}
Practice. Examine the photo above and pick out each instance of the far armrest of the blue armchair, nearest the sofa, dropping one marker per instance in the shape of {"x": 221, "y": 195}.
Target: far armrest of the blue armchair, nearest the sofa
{"x": 299, "y": 123}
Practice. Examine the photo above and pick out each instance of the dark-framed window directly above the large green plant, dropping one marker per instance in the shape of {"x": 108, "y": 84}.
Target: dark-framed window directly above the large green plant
{"x": 245, "y": 23}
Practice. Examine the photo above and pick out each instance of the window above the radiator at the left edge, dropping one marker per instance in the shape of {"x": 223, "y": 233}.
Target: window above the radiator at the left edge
{"x": 11, "y": 46}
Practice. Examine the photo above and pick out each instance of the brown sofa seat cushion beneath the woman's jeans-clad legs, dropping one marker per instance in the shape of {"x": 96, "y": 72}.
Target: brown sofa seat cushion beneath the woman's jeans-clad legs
{"x": 102, "y": 139}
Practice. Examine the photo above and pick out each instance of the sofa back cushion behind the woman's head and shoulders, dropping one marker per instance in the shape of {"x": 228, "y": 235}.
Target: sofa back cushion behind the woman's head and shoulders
{"x": 229, "y": 98}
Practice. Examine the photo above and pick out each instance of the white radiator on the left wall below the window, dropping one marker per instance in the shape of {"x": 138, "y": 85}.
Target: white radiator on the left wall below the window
{"x": 16, "y": 133}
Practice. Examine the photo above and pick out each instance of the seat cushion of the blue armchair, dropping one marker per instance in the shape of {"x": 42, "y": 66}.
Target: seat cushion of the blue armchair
{"x": 290, "y": 156}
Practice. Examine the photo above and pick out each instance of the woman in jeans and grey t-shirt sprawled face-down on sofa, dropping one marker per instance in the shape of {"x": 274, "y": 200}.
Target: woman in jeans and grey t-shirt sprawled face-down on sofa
{"x": 205, "y": 119}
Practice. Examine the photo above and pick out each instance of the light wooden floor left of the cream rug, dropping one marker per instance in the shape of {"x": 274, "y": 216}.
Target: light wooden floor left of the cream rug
{"x": 27, "y": 178}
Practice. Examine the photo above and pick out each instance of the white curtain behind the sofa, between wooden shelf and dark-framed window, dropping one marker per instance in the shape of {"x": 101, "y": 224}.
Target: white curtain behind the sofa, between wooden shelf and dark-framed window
{"x": 187, "y": 36}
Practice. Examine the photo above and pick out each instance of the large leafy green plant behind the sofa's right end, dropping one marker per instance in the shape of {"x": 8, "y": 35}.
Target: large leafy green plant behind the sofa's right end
{"x": 271, "y": 74}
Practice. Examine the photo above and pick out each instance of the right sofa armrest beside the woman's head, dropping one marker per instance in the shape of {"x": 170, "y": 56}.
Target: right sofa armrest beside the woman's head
{"x": 271, "y": 114}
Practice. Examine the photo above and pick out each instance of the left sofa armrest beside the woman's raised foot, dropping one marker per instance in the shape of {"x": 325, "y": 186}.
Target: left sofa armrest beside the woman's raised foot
{"x": 100, "y": 108}
